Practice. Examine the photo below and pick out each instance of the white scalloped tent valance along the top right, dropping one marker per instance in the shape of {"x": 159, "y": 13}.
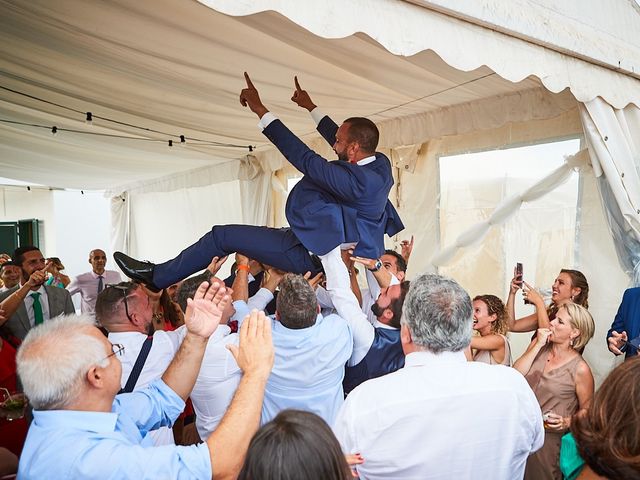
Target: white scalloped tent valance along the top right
{"x": 404, "y": 28}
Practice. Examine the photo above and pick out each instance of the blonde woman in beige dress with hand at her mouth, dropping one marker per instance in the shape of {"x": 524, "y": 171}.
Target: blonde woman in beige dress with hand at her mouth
{"x": 561, "y": 380}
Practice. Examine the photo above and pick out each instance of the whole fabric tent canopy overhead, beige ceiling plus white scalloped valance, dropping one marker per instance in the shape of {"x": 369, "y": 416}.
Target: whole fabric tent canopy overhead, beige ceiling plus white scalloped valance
{"x": 176, "y": 66}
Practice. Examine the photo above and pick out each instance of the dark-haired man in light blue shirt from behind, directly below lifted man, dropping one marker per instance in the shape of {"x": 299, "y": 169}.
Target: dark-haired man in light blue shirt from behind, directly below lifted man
{"x": 311, "y": 351}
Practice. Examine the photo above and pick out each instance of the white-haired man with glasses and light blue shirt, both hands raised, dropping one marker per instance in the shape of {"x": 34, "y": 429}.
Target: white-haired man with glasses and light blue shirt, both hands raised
{"x": 81, "y": 429}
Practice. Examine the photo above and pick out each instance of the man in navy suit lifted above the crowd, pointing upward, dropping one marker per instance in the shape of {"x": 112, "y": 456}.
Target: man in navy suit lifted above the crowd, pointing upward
{"x": 344, "y": 201}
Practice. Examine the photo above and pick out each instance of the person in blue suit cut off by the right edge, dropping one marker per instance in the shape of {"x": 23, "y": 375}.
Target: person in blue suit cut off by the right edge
{"x": 626, "y": 324}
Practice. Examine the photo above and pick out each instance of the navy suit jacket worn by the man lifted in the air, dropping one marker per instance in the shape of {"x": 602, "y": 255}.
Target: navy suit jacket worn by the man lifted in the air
{"x": 337, "y": 202}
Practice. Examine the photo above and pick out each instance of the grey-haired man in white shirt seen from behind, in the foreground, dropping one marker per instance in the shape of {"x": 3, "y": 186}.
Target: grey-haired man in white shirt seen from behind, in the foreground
{"x": 441, "y": 416}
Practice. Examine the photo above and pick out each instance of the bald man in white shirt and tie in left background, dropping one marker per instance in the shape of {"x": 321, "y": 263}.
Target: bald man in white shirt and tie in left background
{"x": 90, "y": 284}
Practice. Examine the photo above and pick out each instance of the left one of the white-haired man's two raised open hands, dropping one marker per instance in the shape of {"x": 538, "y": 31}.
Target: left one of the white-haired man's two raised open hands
{"x": 204, "y": 311}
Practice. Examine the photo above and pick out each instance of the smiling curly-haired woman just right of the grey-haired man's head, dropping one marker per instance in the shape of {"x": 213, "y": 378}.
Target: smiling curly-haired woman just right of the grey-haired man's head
{"x": 489, "y": 320}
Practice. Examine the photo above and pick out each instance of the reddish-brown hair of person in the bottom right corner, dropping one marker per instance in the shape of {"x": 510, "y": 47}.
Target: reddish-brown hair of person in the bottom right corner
{"x": 607, "y": 435}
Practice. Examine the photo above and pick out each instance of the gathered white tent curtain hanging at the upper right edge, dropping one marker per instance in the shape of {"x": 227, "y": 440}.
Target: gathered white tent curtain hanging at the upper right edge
{"x": 612, "y": 138}
